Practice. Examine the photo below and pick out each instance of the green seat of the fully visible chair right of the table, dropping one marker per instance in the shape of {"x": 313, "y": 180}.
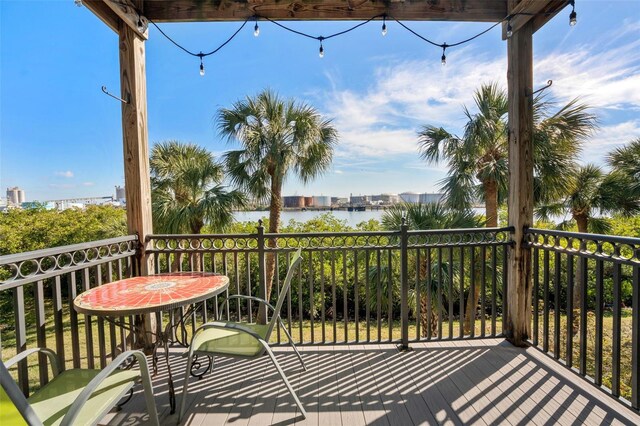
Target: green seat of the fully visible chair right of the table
{"x": 229, "y": 341}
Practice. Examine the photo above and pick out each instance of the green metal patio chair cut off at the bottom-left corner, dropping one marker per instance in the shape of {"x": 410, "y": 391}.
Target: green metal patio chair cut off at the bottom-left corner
{"x": 72, "y": 397}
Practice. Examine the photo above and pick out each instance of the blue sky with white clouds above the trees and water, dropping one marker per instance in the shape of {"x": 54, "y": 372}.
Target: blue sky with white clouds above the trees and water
{"x": 60, "y": 137}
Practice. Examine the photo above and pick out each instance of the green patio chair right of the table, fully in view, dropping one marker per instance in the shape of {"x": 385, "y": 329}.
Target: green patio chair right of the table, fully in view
{"x": 244, "y": 340}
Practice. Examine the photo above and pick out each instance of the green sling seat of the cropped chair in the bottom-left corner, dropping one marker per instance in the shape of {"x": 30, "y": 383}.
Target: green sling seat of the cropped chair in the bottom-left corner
{"x": 53, "y": 400}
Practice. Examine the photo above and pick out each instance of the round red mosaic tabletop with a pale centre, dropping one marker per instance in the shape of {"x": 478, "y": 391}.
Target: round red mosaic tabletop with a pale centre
{"x": 153, "y": 293}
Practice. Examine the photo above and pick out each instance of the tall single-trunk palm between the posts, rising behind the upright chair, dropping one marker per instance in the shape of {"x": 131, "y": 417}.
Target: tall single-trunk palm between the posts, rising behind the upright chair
{"x": 278, "y": 137}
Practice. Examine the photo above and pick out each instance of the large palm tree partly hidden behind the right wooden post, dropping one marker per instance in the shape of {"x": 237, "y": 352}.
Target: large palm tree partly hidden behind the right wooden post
{"x": 478, "y": 161}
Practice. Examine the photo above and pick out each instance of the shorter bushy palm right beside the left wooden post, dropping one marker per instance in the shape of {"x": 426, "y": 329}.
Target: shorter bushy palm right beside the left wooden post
{"x": 186, "y": 190}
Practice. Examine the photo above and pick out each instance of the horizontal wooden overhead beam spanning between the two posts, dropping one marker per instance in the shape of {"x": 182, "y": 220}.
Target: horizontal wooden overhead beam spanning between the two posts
{"x": 233, "y": 10}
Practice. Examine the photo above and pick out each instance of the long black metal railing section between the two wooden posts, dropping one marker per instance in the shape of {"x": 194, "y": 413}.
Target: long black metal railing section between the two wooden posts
{"x": 355, "y": 287}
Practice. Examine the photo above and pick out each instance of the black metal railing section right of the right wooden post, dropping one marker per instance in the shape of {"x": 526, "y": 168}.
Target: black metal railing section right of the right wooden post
{"x": 586, "y": 307}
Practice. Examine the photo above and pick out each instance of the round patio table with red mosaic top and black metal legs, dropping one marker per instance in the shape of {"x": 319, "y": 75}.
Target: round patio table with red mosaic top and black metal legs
{"x": 152, "y": 294}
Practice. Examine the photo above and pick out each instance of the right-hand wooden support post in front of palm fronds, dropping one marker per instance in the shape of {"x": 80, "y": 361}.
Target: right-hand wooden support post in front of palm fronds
{"x": 520, "y": 86}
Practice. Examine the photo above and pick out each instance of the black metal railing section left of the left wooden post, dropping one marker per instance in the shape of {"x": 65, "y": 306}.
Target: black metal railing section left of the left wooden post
{"x": 39, "y": 287}
